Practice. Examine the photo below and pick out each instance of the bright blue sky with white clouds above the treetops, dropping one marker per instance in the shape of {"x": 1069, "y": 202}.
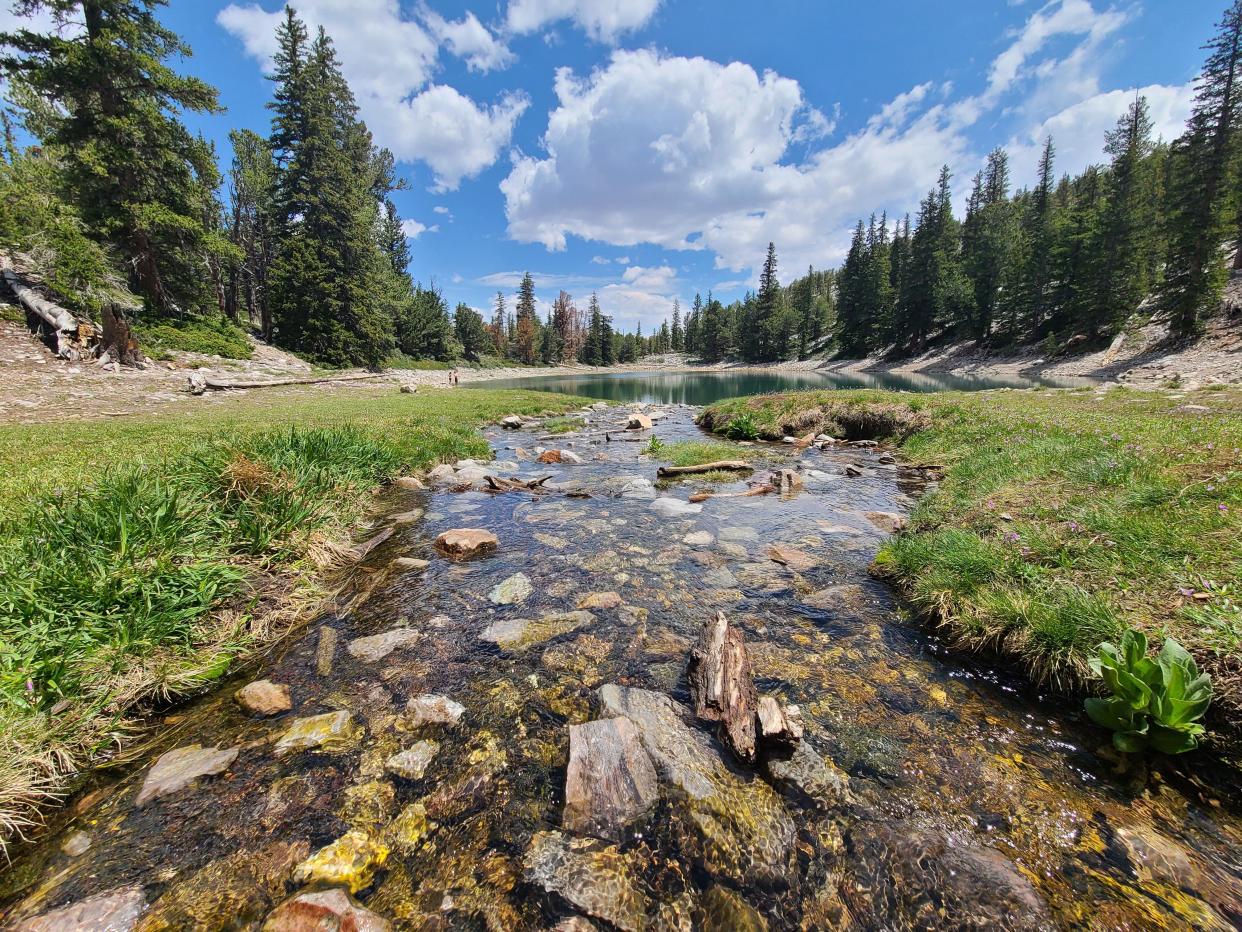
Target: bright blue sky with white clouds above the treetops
{"x": 648, "y": 150}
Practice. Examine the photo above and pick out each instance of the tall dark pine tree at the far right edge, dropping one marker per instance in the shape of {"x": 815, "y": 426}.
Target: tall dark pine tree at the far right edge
{"x": 1200, "y": 173}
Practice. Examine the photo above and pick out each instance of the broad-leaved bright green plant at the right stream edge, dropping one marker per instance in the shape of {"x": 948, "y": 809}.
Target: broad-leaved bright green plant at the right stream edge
{"x": 1157, "y": 703}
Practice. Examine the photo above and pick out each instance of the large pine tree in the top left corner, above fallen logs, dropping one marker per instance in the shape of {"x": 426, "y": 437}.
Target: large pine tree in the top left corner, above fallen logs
{"x": 143, "y": 185}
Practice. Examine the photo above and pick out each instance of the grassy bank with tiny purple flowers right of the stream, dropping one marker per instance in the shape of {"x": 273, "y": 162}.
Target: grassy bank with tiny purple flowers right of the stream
{"x": 1063, "y": 519}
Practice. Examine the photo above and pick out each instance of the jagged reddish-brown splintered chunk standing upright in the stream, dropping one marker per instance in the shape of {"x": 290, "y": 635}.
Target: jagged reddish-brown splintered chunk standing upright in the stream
{"x": 722, "y": 685}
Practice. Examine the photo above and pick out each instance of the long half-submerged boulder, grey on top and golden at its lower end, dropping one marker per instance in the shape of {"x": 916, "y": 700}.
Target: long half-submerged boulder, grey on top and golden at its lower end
{"x": 738, "y": 831}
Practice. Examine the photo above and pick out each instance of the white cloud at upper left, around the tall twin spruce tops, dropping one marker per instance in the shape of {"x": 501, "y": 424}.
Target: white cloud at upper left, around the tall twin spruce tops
{"x": 389, "y": 60}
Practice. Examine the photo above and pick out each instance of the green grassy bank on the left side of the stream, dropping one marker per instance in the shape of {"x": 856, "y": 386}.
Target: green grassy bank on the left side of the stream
{"x": 145, "y": 559}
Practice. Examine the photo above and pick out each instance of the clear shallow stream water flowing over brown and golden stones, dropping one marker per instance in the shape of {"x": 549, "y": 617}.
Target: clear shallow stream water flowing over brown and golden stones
{"x": 932, "y": 791}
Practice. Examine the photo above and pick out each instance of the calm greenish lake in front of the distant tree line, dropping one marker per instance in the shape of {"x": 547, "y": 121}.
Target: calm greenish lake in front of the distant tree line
{"x": 701, "y": 388}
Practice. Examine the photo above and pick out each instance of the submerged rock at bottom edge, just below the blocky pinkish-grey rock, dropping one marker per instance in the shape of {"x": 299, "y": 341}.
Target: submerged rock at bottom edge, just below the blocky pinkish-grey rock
{"x": 592, "y": 875}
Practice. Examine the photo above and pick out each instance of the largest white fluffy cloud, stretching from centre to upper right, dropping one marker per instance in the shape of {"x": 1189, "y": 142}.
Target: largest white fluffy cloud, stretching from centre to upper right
{"x": 694, "y": 155}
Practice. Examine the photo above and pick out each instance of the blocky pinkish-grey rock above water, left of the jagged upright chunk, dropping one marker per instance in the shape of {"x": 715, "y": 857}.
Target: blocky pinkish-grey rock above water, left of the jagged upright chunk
{"x": 610, "y": 782}
